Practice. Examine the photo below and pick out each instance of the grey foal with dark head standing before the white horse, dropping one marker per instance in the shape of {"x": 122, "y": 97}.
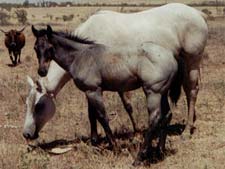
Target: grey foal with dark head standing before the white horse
{"x": 96, "y": 68}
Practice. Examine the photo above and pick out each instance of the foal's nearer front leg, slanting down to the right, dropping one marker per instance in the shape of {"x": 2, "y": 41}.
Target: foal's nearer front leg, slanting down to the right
{"x": 96, "y": 101}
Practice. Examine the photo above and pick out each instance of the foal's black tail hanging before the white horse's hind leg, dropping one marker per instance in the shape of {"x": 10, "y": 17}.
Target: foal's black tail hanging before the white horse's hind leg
{"x": 175, "y": 89}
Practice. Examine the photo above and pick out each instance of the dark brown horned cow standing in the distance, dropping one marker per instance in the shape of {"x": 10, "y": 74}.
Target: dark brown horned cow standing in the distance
{"x": 14, "y": 41}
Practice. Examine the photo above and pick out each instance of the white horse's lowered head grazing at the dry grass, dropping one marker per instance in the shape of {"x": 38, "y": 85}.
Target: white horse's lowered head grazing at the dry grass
{"x": 40, "y": 108}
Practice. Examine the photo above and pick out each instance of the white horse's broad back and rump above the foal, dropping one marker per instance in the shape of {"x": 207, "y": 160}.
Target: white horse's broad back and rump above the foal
{"x": 168, "y": 26}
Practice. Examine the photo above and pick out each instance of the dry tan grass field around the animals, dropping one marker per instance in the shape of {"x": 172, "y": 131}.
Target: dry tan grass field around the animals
{"x": 206, "y": 149}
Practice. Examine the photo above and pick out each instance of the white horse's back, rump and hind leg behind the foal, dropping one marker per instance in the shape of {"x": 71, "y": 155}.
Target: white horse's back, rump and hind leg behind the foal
{"x": 183, "y": 31}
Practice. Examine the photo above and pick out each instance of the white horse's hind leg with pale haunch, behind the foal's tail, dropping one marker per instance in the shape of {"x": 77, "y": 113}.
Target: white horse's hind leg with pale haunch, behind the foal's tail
{"x": 193, "y": 46}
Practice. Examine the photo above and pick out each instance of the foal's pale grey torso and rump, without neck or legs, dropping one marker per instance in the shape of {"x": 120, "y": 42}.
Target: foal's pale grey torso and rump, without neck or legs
{"x": 126, "y": 68}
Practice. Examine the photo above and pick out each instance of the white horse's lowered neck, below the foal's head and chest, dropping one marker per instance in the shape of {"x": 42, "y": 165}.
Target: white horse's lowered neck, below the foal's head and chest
{"x": 55, "y": 79}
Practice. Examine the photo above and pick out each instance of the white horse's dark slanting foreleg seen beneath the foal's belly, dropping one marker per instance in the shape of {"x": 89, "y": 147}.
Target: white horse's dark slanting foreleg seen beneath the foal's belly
{"x": 128, "y": 108}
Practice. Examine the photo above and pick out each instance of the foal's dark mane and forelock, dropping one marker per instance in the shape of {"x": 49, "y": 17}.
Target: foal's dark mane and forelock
{"x": 68, "y": 35}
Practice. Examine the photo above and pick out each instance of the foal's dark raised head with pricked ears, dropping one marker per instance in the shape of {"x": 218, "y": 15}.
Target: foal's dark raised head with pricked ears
{"x": 43, "y": 48}
